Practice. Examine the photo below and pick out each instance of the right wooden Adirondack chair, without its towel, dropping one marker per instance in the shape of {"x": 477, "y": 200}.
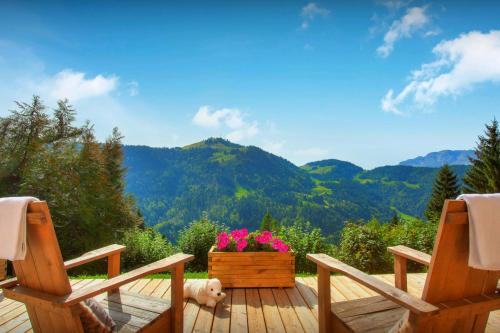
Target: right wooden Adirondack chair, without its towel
{"x": 456, "y": 297}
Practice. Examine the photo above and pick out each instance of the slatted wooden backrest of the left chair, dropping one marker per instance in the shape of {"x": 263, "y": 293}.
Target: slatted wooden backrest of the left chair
{"x": 43, "y": 270}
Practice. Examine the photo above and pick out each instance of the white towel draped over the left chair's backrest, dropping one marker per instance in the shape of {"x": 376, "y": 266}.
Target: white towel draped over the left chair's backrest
{"x": 13, "y": 227}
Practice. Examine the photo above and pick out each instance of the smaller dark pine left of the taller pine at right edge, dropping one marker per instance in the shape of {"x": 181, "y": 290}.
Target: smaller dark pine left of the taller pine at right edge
{"x": 445, "y": 187}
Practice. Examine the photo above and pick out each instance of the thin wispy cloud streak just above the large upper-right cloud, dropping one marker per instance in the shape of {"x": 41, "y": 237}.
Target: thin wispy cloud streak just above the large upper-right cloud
{"x": 415, "y": 19}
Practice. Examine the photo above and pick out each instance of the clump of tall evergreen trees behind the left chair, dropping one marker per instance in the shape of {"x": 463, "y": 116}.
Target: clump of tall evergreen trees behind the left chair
{"x": 81, "y": 179}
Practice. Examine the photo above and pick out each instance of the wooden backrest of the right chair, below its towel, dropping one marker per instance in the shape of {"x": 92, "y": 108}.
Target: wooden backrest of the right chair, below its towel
{"x": 449, "y": 277}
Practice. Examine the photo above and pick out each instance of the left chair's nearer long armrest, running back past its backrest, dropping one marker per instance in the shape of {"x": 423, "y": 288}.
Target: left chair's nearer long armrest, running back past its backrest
{"x": 31, "y": 296}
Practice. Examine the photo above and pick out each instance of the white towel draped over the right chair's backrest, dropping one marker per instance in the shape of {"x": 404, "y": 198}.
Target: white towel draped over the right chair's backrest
{"x": 484, "y": 230}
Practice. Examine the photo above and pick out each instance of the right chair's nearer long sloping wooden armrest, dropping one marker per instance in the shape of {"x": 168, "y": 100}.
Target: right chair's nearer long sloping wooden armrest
{"x": 414, "y": 304}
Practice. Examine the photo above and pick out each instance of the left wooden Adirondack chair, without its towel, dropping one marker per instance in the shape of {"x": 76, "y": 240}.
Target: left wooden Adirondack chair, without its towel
{"x": 43, "y": 285}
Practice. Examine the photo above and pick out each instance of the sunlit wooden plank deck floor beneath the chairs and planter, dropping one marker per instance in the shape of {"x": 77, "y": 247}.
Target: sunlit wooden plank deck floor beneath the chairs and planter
{"x": 244, "y": 310}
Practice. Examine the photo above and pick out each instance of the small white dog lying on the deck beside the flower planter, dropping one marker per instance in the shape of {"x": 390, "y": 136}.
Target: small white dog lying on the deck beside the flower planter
{"x": 205, "y": 292}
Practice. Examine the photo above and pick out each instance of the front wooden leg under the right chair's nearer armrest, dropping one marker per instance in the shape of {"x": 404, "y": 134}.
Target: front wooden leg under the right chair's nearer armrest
{"x": 324, "y": 301}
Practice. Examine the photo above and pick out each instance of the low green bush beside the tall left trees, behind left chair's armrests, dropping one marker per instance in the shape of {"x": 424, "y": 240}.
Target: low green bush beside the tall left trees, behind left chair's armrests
{"x": 144, "y": 247}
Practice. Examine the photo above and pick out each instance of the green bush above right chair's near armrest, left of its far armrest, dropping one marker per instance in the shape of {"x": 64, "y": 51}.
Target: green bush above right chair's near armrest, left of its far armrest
{"x": 363, "y": 246}
